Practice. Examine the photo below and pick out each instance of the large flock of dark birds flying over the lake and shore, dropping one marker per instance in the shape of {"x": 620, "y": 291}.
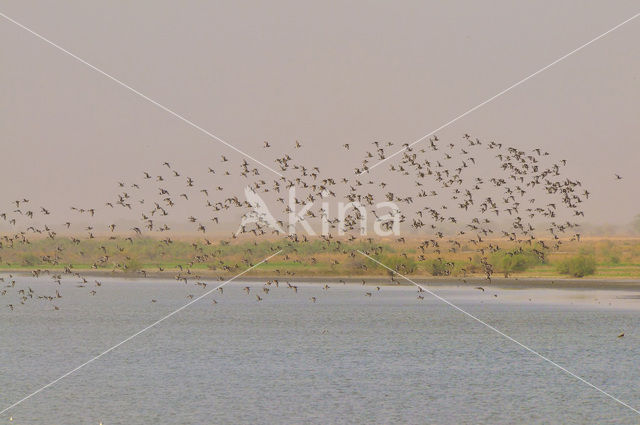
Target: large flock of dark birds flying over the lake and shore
{"x": 469, "y": 193}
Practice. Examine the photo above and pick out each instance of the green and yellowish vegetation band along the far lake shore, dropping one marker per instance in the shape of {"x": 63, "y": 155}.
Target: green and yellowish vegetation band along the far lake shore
{"x": 601, "y": 258}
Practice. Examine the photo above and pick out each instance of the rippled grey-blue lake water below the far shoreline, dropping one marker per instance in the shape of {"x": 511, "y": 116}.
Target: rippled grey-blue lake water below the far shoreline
{"x": 348, "y": 358}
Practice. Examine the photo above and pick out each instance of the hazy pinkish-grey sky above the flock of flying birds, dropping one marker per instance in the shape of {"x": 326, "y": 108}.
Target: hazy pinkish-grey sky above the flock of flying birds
{"x": 323, "y": 73}
